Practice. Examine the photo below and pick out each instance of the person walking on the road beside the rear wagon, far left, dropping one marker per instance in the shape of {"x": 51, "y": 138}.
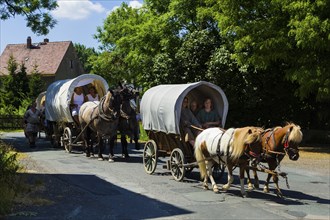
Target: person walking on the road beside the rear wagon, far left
{"x": 32, "y": 119}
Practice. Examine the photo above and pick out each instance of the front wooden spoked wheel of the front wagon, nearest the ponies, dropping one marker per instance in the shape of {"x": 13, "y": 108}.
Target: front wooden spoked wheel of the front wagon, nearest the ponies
{"x": 177, "y": 162}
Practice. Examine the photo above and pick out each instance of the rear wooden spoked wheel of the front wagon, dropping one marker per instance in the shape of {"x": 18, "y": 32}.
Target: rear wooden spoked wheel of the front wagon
{"x": 150, "y": 156}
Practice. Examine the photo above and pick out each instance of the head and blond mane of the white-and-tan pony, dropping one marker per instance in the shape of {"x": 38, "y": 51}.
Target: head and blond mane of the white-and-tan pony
{"x": 247, "y": 141}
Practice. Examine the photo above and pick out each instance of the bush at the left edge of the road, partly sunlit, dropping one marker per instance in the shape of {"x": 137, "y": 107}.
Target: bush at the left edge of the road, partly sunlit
{"x": 8, "y": 169}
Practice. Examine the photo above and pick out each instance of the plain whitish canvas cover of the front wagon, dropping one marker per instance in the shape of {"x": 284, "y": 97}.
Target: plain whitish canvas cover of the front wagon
{"x": 161, "y": 105}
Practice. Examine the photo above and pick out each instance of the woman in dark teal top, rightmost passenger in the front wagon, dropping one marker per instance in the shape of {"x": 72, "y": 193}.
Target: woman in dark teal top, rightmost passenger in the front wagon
{"x": 208, "y": 116}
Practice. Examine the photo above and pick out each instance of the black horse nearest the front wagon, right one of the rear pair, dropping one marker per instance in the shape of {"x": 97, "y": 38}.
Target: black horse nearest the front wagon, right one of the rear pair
{"x": 128, "y": 124}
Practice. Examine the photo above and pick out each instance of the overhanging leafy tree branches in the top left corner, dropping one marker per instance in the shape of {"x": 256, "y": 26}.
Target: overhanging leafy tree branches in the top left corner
{"x": 34, "y": 11}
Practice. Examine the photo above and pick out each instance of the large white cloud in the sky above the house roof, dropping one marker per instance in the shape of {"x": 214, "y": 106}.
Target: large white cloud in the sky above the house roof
{"x": 76, "y": 9}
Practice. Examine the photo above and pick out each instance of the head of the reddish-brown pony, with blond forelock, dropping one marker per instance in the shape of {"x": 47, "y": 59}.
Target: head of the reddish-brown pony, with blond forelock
{"x": 291, "y": 140}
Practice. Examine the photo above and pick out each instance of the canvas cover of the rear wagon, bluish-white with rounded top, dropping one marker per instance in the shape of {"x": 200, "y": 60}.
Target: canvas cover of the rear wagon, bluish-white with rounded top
{"x": 59, "y": 93}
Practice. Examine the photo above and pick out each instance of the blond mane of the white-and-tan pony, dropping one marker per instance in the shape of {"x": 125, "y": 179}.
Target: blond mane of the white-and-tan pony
{"x": 242, "y": 136}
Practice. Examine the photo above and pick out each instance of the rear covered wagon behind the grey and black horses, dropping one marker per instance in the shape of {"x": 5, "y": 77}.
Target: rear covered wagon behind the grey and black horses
{"x": 60, "y": 123}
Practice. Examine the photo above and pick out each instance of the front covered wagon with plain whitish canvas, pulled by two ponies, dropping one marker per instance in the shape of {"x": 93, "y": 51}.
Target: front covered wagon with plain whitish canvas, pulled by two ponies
{"x": 160, "y": 112}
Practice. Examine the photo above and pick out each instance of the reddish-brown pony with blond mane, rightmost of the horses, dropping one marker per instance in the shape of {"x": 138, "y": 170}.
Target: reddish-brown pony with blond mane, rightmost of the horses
{"x": 276, "y": 143}
